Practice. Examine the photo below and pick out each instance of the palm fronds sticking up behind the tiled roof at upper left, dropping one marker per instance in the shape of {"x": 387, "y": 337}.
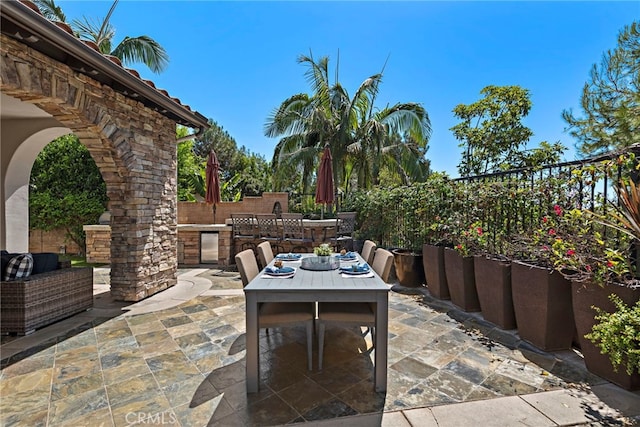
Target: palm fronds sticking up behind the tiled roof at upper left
{"x": 130, "y": 50}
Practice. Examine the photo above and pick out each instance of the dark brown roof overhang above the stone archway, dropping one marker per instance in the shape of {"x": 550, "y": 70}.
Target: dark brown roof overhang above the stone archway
{"x": 34, "y": 30}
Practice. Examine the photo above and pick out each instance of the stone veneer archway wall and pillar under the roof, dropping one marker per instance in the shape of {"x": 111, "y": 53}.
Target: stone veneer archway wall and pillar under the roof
{"x": 135, "y": 149}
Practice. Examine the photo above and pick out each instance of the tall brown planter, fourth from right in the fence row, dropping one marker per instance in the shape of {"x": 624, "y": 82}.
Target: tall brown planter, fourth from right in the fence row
{"x": 461, "y": 280}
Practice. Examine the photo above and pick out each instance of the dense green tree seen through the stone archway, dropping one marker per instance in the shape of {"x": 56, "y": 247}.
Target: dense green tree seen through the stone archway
{"x": 66, "y": 189}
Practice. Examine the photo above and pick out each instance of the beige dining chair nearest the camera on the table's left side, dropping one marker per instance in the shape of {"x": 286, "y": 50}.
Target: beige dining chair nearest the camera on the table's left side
{"x": 278, "y": 314}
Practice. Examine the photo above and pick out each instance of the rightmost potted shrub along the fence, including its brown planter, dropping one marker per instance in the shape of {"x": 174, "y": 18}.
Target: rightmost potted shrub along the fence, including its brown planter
{"x": 597, "y": 258}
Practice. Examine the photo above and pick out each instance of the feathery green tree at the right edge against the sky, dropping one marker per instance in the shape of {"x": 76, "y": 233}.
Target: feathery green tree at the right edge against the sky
{"x": 610, "y": 99}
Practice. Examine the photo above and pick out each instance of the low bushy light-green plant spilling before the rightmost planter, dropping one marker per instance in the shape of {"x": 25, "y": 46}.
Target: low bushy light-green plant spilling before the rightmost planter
{"x": 617, "y": 334}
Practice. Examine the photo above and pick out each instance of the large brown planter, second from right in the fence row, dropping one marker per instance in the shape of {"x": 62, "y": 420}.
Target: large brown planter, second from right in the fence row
{"x": 542, "y": 306}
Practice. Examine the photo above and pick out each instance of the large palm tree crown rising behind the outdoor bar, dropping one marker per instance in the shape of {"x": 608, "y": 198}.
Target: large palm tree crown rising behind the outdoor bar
{"x": 362, "y": 141}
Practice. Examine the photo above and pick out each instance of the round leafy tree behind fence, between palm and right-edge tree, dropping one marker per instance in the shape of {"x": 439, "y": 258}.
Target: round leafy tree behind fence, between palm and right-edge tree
{"x": 491, "y": 131}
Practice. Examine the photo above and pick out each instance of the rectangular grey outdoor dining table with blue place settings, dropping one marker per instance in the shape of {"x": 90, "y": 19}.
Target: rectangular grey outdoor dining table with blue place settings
{"x": 316, "y": 286}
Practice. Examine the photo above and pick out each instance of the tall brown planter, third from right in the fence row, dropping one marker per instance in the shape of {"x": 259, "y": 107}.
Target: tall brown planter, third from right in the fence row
{"x": 493, "y": 284}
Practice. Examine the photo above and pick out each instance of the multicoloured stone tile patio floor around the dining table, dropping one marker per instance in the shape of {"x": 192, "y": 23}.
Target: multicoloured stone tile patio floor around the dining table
{"x": 178, "y": 359}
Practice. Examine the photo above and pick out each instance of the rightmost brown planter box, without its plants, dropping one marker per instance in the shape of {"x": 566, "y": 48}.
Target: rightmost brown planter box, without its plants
{"x": 585, "y": 296}
